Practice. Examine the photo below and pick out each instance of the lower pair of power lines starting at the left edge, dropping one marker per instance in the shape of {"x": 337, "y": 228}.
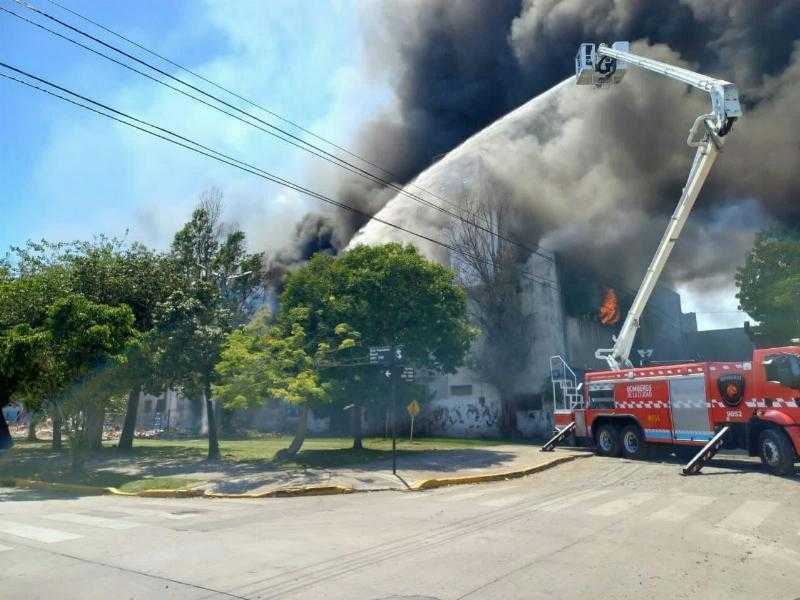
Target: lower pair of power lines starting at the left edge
{"x": 223, "y": 158}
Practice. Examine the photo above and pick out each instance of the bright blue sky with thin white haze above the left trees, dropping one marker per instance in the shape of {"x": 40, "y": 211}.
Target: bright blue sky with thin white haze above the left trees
{"x": 69, "y": 174}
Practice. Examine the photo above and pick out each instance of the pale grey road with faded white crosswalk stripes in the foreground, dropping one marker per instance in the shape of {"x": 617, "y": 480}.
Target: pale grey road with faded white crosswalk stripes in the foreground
{"x": 593, "y": 528}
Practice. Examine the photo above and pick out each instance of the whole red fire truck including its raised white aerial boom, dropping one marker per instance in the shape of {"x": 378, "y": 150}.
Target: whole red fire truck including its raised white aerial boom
{"x": 697, "y": 407}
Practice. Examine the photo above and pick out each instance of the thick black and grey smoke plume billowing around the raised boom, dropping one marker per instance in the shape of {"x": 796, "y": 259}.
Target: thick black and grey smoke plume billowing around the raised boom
{"x": 594, "y": 173}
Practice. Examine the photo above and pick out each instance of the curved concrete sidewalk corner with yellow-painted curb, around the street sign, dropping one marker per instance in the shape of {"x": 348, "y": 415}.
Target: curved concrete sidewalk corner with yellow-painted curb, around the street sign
{"x": 490, "y": 463}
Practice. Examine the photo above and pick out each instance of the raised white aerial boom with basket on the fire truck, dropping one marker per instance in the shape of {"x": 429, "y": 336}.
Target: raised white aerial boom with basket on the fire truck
{"x": 601, "y": 66}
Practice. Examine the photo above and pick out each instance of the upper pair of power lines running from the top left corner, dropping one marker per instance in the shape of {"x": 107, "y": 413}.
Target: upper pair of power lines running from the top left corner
{"x": 294, "y": 140}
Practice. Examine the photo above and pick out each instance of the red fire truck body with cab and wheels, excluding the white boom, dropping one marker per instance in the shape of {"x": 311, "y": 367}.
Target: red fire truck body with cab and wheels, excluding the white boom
{"x": 625, "y": 412}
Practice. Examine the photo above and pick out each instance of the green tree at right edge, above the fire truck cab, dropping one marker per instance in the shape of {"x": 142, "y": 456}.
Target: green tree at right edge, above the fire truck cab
{"x": 769, "y": 286}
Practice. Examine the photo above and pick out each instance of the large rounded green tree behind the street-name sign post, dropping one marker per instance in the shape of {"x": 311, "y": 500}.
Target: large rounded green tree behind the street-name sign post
{"x": 391, "y": 295}
